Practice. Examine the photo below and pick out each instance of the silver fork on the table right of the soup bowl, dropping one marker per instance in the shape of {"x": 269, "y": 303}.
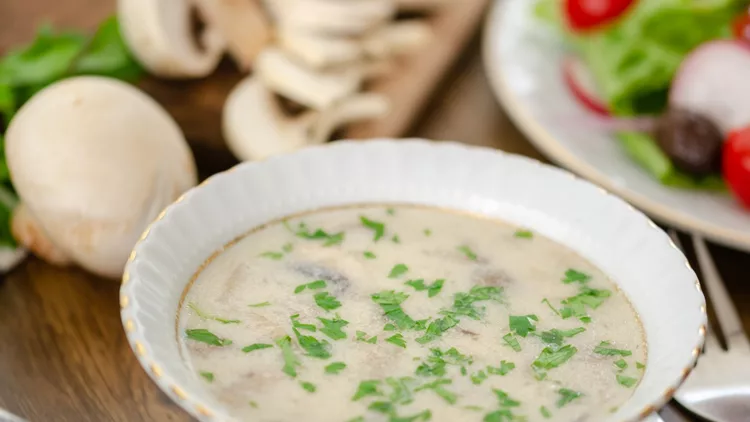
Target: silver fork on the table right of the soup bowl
{"x": 718, "y": 389}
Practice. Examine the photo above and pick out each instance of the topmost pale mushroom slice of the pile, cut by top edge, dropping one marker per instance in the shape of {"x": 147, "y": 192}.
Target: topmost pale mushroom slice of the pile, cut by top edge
{"x": 343, "y": 17}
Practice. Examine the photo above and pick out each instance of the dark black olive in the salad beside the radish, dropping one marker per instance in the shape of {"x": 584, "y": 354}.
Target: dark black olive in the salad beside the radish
{"x": 691, "y": 140}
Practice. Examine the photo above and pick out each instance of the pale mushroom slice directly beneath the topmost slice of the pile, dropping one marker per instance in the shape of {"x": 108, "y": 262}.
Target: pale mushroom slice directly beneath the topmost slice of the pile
{"x": 319, "y": 50}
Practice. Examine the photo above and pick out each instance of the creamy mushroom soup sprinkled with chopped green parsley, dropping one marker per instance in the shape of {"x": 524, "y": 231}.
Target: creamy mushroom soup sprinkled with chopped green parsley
{"x": 408, "y": 314}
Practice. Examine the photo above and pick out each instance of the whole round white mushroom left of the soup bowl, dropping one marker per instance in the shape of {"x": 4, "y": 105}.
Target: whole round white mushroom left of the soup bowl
{"x": 94, "y": 160}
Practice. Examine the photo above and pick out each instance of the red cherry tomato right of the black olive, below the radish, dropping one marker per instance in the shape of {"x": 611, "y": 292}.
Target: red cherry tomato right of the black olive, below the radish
{"x": 736, "y": 164}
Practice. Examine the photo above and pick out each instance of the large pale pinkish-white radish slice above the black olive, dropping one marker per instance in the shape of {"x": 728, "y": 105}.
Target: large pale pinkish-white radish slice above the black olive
{"x": 714, "y": 80}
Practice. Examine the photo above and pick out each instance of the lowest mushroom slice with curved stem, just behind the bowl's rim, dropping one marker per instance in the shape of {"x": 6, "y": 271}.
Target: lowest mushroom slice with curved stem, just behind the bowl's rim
{"x": 256, "y": 126}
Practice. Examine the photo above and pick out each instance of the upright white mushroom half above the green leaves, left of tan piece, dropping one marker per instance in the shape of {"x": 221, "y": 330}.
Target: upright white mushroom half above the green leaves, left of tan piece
{"x": 160, "y": 35}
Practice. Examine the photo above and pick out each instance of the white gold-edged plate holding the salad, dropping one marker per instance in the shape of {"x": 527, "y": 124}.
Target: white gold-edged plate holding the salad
{"x": 523, "y": 61}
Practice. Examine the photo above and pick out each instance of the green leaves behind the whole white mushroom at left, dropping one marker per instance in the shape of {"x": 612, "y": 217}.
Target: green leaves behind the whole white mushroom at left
{"x": 53, "y": 56}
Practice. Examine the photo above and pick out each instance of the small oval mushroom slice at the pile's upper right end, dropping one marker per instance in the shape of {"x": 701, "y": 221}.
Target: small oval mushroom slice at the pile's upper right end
{"x": 398, "y": 38}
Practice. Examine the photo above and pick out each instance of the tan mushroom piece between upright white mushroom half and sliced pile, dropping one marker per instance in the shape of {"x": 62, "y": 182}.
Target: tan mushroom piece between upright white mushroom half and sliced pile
{"x": 242, "y": 23}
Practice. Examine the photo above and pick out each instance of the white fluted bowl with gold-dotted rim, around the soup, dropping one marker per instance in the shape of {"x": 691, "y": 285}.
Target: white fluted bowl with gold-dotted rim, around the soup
{"x": 602, "y": 228}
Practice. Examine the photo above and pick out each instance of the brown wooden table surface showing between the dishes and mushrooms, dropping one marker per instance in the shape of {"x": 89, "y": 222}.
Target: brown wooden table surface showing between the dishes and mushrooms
{"x": 63, "y": 353}
